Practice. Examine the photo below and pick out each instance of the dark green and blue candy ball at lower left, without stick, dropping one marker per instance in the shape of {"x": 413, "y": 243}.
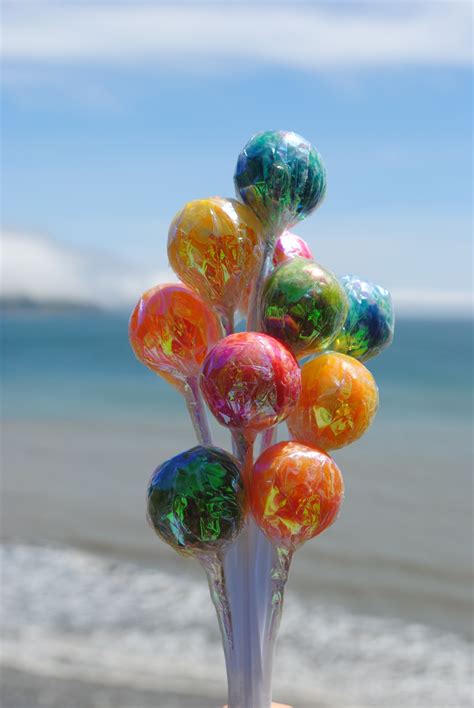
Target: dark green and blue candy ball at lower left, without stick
{"x": 196, "y": 500}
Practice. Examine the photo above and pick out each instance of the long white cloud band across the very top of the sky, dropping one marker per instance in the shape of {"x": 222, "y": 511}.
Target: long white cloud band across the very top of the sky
{"x": 304, "y": 36}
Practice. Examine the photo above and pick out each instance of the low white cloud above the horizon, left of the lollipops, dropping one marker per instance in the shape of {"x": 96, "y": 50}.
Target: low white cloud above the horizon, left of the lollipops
{"x": 41, "y": 269}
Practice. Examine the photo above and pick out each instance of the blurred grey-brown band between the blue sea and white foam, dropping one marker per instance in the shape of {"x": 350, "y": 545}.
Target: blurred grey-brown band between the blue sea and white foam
{"x": 82, "y": 485}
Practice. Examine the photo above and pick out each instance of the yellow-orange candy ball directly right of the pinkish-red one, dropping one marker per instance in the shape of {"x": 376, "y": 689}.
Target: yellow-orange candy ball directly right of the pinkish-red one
{"x": 338, "y": 401}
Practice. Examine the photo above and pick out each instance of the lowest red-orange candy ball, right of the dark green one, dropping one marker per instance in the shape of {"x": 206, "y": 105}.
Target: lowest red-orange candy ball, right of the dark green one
{"x": 295, "y": 493}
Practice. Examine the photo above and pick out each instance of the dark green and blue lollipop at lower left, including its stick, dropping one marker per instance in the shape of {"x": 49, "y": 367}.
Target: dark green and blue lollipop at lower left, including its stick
{"x": 196, "y": 504}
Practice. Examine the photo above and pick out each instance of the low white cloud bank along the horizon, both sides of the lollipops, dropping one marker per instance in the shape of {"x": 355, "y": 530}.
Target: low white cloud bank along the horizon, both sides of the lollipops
{"x": 43, "y": 270}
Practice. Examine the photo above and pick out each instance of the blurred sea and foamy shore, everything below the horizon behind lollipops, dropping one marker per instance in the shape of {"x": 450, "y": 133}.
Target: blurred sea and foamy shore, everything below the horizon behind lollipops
{"x": 97, "y": 612}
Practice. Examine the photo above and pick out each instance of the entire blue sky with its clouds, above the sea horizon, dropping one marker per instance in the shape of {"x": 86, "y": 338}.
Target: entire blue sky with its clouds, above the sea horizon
{"x": 114, "y": 114}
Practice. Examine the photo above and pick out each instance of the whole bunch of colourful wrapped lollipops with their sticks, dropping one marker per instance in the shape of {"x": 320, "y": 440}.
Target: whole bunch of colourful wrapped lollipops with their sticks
{"x": 243, "y": 515}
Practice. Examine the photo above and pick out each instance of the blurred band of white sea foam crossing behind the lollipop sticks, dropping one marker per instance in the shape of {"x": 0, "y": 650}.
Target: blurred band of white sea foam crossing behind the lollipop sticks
{"x": 70, "y": 614}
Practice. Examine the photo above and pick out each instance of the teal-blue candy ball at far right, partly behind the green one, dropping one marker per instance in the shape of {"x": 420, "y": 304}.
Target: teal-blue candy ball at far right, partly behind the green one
{"x": 369, "y": 325}
